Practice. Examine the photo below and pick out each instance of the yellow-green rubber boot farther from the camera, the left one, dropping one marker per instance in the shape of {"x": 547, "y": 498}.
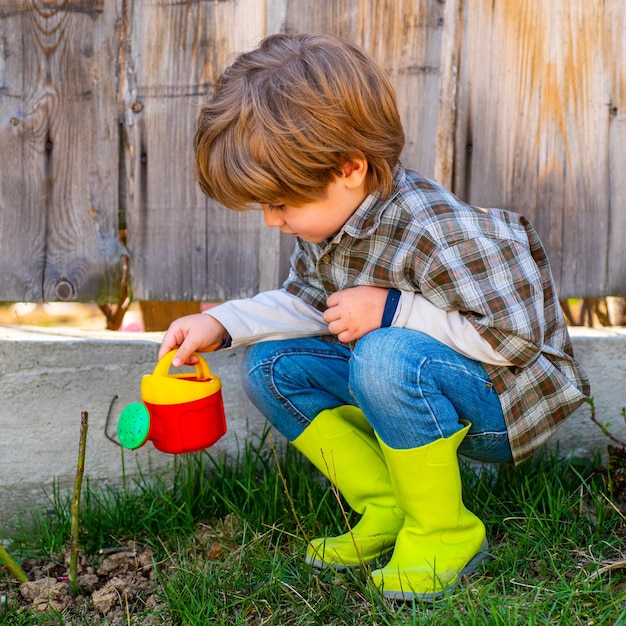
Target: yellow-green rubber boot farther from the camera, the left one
{"x": 342, "y": 445}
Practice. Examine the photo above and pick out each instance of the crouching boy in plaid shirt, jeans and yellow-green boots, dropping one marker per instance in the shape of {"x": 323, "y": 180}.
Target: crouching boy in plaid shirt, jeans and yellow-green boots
{"x": 412, "y": 327}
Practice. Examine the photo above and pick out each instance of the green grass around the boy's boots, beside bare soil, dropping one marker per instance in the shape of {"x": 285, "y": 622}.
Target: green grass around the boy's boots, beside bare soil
{"x": 229, "y": 540}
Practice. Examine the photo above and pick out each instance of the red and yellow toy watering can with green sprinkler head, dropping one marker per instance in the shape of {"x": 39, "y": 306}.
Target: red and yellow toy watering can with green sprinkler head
{"x": 179, "y": 413}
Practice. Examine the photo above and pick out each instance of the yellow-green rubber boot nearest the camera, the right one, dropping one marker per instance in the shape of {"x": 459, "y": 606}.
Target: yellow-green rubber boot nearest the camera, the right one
{"x": 440, "y": 540}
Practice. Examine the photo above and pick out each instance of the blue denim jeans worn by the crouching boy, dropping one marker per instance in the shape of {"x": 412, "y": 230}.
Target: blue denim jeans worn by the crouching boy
{"x": 412, "y": 389}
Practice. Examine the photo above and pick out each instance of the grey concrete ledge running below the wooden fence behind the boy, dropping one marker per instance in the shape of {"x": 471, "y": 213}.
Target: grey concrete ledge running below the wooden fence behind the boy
{"x": 49, "y": 376}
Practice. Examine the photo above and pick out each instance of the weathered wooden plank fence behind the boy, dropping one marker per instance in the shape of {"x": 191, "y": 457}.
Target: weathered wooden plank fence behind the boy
{"x": 520, "y": 105}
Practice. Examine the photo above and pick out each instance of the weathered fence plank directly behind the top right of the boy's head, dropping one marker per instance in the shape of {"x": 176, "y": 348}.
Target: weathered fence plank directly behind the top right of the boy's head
{"x": 406, "y": 37}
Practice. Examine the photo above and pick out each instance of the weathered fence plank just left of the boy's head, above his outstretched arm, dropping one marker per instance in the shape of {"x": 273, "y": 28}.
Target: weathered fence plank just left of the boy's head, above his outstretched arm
{"x": 182, "y": 246}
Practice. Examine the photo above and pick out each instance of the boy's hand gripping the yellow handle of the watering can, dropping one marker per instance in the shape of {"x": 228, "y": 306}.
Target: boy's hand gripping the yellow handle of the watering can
{"x": 192, "y": 333}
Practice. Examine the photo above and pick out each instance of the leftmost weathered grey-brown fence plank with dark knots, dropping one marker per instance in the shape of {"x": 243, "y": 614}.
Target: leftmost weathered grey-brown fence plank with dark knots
{"x": 58, "y": 131}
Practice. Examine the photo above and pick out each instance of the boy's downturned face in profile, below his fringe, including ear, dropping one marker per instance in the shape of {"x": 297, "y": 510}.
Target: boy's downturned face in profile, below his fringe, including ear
{"x": 320, "y": 219}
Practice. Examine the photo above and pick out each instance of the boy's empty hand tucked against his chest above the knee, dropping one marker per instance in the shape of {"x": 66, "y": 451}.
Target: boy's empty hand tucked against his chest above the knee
{"x": 354, "y": 312}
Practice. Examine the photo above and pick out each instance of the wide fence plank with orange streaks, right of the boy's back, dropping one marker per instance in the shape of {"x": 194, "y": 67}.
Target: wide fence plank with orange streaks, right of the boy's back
{"x": 534, "y": 123}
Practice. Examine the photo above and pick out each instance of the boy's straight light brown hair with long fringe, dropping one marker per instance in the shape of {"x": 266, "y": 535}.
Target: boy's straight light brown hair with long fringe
{"x": 283, "y": 120}
